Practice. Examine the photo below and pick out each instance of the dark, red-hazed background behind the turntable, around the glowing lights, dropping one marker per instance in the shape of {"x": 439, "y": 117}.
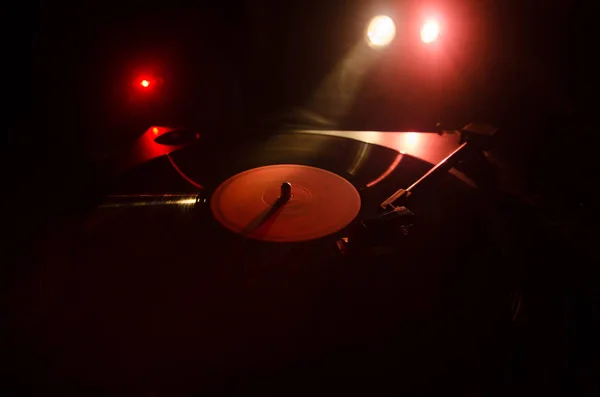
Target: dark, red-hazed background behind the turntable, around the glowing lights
{"x": 230, "y": 66}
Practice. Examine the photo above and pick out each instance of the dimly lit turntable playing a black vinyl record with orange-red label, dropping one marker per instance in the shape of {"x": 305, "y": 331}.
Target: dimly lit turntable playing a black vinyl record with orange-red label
{"x": 273, "y": 266}
